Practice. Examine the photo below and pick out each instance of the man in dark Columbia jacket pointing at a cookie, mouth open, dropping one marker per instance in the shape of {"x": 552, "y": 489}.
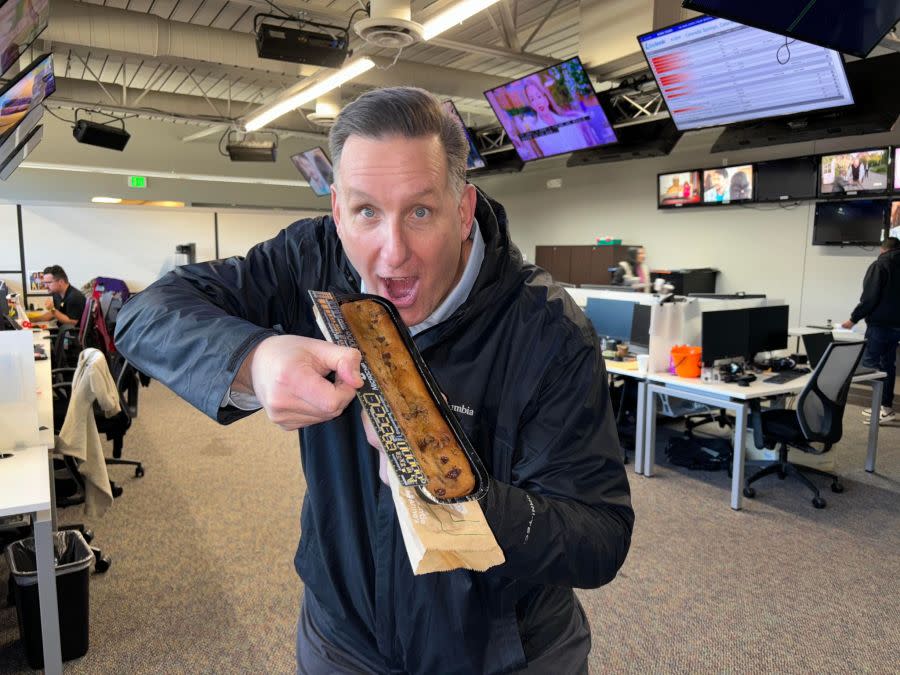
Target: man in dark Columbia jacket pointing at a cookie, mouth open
{"x": 506, "y": 345}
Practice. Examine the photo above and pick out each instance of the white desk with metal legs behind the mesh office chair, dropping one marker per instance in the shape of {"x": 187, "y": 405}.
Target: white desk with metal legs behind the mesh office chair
{"x": 736, "y": 399}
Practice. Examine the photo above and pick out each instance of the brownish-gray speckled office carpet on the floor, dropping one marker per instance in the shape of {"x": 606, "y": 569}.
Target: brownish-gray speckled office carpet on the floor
{"x": 202, "y": 577}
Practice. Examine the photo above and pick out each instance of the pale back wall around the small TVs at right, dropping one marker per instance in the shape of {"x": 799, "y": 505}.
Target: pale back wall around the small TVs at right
{"x": 757, "y": 248}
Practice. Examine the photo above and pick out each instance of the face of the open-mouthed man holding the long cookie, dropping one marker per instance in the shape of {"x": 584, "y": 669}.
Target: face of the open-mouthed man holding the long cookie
{"x": 403, "y": 228}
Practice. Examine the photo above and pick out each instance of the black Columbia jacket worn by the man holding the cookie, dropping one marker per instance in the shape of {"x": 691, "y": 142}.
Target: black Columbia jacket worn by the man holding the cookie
{"x": 518, "y": 353}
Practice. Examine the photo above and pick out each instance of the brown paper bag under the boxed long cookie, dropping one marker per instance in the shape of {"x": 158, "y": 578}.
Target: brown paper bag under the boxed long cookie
{"x": 440, "y": 538}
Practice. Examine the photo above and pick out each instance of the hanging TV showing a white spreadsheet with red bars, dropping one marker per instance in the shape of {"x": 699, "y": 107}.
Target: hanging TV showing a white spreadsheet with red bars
{"x": 713, "y": 72}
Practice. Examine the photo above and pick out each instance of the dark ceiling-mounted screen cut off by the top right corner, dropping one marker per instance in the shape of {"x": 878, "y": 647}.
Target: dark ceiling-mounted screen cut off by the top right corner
{"x": 850, "y": 26}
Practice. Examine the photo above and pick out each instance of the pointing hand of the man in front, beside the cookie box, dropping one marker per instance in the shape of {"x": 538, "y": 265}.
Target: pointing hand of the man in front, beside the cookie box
{"x": 287, "y": 375}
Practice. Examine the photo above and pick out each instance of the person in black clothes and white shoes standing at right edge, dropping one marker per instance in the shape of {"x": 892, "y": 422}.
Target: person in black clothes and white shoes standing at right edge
{"x": 879, "y": 305}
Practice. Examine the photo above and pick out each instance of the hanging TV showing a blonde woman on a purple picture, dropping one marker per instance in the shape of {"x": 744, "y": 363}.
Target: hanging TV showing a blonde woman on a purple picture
{"x": 552, "y": 112}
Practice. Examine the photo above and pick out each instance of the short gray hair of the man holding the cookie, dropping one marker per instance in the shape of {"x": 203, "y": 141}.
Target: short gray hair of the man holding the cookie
{"x": 403, "y": 111}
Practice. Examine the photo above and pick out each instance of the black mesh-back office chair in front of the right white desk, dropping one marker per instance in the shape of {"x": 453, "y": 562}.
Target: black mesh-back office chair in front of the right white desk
{"x": 817, "y": 419}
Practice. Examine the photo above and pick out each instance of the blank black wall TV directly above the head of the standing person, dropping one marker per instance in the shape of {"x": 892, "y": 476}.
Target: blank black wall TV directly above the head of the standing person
{"x": 859, "y": 222}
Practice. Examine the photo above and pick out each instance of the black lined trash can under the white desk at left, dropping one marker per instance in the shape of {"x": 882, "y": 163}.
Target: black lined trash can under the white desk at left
{"x": 73, "y": 558}
